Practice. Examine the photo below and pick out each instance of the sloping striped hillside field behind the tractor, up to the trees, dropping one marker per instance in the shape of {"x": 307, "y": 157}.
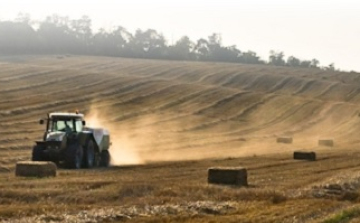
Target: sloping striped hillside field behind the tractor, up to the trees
{"x": 168, "y": 106}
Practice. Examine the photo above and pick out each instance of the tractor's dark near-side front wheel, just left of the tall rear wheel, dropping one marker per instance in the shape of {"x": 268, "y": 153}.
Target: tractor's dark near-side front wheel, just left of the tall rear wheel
{"x": 74, "y": 156}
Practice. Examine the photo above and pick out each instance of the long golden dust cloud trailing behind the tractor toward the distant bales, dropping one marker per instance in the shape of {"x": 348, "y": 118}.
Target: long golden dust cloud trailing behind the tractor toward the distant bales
{"x": 161, "y": 137}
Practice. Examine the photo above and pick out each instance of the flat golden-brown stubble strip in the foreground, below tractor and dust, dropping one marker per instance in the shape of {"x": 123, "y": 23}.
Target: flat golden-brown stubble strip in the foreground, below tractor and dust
{"x": 153, "y": 193}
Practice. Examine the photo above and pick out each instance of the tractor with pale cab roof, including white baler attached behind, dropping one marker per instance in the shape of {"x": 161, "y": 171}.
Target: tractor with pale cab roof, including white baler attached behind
{"x": 69, "y": 143}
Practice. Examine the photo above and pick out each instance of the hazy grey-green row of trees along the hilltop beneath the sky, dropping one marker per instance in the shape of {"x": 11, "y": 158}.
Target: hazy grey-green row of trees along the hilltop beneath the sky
{"x": 62, "y": 35}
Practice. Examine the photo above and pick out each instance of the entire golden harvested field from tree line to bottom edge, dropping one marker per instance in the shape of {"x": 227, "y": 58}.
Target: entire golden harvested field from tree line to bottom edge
{"x": 170, "y": 122}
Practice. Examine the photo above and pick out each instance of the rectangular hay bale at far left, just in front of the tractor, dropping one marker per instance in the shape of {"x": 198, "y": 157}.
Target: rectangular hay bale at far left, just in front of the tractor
{"x": 35, "y": 169}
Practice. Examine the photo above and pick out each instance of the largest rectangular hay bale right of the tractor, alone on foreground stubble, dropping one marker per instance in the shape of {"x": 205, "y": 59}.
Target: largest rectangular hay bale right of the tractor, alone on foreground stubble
{"x": 228, "y": 175}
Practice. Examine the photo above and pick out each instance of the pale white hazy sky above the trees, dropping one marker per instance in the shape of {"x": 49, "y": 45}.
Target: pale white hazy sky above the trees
{"x": 326, "y": 30}
